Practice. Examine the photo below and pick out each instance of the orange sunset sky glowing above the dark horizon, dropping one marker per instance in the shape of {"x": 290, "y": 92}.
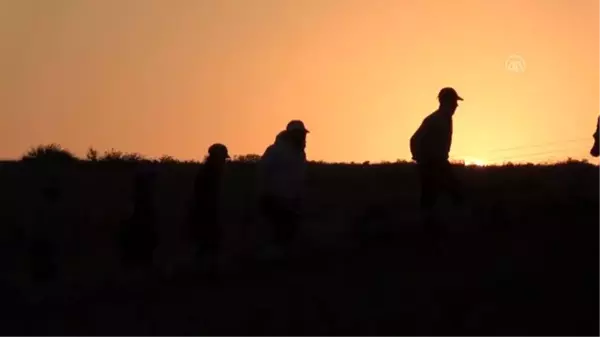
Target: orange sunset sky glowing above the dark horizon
{"x": 172, "y": 76}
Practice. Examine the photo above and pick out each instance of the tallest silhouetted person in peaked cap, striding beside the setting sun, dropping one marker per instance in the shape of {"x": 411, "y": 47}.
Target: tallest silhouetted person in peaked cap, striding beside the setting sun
{"x": 430, "y": 148}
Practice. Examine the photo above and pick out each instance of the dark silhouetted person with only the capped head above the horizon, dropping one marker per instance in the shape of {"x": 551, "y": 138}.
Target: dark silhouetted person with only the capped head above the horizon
{"x": 205, "y": 223}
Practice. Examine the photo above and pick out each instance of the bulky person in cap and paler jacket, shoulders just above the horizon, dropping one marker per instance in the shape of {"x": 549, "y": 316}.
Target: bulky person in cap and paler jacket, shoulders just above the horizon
{"x": 282, "y": 170}
